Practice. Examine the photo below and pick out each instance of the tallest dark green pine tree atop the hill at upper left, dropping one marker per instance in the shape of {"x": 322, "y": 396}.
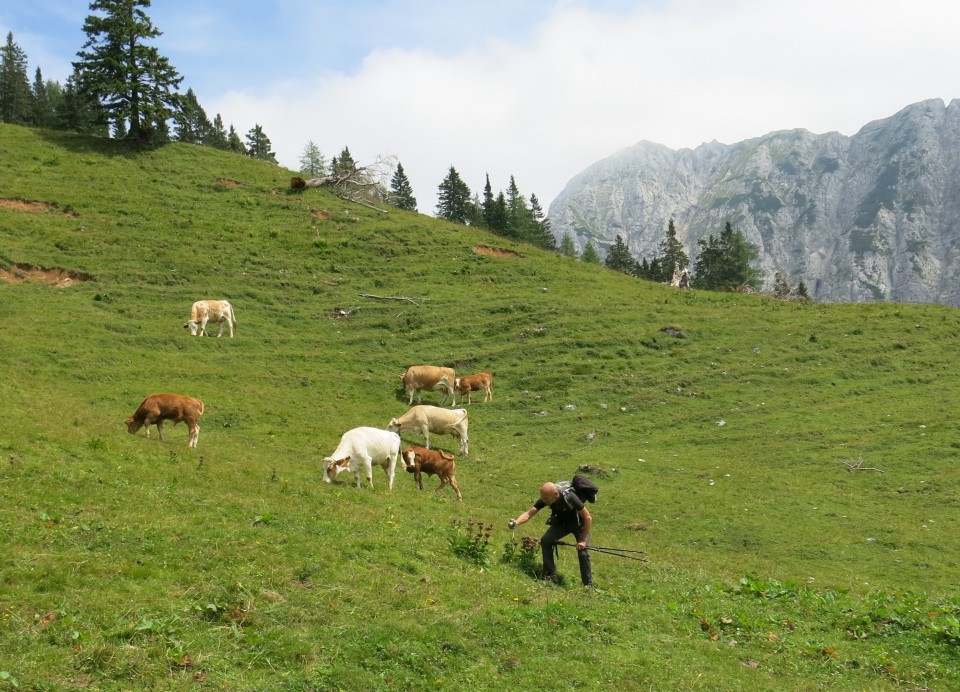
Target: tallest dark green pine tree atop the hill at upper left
{"x": 133, "y": 81}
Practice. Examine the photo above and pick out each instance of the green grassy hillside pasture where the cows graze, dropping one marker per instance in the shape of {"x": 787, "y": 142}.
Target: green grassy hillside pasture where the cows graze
{"x": 790, "y": 469}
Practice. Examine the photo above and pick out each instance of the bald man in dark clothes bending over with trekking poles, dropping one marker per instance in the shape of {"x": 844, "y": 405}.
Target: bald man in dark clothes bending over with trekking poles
{"x": 567, "y": 515}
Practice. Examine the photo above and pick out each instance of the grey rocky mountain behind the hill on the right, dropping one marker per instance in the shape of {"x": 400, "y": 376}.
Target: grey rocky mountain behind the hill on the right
{"x": 872, "y": 217}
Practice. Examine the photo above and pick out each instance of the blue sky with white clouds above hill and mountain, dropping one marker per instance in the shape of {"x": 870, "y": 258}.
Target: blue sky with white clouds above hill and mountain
{"x": 537, "y": 89}
